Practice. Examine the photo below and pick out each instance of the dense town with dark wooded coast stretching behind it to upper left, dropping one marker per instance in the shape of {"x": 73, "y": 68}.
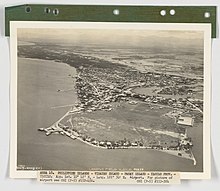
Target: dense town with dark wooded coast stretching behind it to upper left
{"x": 99, "y": 83}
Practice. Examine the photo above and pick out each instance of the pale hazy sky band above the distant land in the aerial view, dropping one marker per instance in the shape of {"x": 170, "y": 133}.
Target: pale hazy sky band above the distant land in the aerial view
{"x": 113, "y": 38}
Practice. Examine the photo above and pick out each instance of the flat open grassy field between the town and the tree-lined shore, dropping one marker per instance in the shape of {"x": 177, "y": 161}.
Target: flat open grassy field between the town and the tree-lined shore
{"x": 127, "y": 122}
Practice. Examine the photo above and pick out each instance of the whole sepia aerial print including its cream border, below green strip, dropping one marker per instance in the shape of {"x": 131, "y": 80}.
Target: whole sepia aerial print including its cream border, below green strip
{"x": 110, "y": 96}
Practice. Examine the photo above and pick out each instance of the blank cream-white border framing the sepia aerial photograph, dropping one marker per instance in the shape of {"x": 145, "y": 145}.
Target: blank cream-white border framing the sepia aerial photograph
{"x": 206, "y": 28}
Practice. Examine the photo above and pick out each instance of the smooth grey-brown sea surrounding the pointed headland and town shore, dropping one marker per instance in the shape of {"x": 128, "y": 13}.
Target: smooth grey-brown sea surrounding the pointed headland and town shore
{"x": 39, "y": 85}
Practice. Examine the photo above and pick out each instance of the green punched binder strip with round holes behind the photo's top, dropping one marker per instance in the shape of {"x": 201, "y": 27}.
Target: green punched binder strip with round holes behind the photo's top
{"x": 110, "y": 13}
